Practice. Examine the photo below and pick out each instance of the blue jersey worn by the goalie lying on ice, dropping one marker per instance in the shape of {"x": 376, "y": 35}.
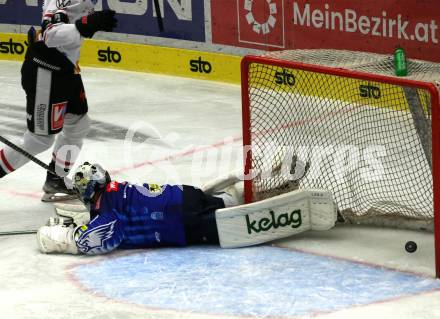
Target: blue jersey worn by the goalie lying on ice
{"x": 134, "y": 216}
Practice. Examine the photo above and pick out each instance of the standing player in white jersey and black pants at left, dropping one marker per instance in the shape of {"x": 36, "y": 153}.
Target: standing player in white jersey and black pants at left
{"x": 55, "y": 97}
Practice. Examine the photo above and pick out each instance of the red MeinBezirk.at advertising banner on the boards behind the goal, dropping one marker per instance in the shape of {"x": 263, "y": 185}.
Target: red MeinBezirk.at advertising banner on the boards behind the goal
{"x": 374, "y": 26}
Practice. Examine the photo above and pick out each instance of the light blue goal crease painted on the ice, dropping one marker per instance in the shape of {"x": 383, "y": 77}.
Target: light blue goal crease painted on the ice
{"x": 253, "y": 282}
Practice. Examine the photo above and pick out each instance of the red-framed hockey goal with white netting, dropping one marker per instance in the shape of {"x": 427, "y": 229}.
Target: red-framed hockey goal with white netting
{"x": 370, "y": 137}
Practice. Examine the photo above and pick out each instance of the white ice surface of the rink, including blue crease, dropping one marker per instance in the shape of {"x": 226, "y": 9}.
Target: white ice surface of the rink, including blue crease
{"x": 188, "y": 131}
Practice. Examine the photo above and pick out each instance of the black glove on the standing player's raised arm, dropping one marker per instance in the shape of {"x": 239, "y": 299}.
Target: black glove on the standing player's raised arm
{"x": 98, "y": 21}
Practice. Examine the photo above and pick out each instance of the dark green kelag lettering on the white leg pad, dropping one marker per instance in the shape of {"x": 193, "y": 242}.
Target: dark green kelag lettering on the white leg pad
{"x": 273, "y": 222}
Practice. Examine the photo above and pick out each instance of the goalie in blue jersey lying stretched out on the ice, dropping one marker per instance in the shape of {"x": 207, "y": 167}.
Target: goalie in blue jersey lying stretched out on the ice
{"x": 125, "y": 215}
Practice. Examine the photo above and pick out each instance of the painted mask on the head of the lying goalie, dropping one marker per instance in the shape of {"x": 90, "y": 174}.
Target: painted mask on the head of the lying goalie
{"x": 88, "y": 180}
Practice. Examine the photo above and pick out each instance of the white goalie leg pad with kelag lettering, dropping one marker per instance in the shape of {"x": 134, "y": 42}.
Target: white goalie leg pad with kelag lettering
{"x": 274, "y": 218}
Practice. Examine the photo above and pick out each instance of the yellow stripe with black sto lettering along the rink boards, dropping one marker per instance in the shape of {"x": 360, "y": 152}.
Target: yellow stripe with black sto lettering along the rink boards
{"x": 141, "y": 58}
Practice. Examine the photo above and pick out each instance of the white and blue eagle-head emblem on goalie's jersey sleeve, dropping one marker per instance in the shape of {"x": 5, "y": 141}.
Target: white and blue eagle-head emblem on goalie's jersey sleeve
{"x": 93, "y": 239}
